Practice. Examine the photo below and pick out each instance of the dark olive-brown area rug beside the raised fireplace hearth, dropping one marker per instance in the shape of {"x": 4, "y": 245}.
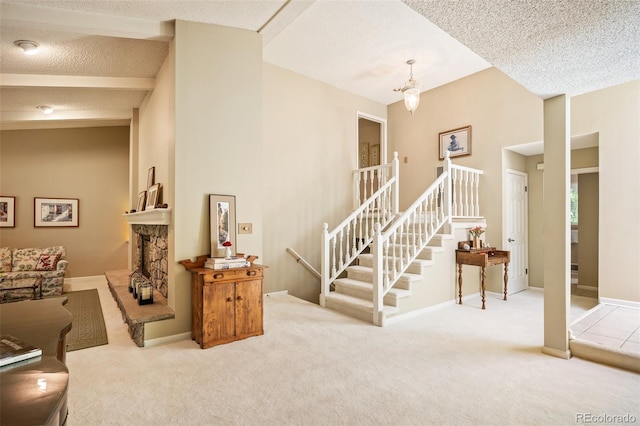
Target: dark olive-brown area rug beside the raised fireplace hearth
{"x": 88, "y": 327}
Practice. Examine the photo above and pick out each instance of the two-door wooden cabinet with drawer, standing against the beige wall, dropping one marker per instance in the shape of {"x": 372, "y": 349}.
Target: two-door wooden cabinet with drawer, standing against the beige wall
{"x": 226, "y": 305}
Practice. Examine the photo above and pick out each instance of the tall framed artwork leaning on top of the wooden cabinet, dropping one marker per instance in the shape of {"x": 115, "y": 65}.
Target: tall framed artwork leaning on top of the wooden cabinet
{"x": 222, "y": 219}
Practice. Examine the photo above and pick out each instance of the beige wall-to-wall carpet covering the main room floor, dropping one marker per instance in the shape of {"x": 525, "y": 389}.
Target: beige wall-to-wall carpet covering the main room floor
{"x": 458, "y": 365}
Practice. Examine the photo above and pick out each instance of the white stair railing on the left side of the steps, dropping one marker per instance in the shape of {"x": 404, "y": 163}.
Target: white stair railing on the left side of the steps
{"x": 342, "y": 245}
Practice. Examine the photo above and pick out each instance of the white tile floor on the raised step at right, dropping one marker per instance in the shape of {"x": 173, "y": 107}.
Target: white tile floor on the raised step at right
{"x": 617, "y": 327}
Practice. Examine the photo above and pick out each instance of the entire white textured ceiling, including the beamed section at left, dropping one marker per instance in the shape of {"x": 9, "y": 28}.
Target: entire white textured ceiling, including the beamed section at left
{"x": 98, "y": 58}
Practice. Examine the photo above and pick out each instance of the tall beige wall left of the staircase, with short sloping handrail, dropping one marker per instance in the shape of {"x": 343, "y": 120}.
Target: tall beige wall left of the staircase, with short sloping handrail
{"x": 310, "y": 149}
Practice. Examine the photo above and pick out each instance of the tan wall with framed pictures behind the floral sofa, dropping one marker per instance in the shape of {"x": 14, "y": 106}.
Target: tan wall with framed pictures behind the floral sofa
{"x": 90, "y": 164}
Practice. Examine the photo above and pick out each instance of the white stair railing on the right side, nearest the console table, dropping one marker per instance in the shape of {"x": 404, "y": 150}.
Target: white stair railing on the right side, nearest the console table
{"x": 453, "y": 194}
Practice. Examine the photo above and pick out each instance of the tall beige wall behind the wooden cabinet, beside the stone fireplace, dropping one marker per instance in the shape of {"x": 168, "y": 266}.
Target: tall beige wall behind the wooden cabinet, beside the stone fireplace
{"x": 204, "y": 137}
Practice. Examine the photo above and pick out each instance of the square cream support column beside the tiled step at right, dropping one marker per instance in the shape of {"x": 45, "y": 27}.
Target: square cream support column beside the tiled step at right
{"x": 557, "y": 227}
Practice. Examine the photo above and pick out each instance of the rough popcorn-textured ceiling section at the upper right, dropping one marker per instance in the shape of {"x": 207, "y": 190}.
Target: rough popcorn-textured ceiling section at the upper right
{"x": 550, "y": 47}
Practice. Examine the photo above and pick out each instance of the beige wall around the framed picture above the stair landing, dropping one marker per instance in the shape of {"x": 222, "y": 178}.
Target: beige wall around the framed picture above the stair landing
{"x": 501, "y": 112}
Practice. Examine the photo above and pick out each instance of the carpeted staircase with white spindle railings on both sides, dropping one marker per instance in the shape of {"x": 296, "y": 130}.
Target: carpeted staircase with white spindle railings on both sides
{"x": 376, "y": 262}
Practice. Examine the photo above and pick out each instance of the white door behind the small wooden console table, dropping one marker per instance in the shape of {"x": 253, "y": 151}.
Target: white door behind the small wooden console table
{"x": 515, "y": 232}
